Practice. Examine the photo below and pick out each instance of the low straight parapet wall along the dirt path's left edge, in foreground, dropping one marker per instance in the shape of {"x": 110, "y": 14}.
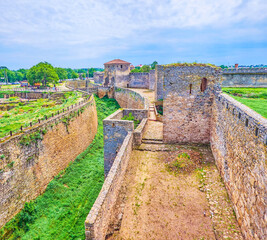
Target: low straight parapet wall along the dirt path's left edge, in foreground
{"x": 102, "y": 213}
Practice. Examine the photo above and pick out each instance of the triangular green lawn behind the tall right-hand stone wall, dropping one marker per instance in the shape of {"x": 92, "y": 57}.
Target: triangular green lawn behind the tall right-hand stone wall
{"x": 255, "y": 98}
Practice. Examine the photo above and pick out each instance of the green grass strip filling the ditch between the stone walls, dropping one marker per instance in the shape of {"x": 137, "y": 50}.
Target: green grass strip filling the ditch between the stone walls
{"x": 61, "y": 211}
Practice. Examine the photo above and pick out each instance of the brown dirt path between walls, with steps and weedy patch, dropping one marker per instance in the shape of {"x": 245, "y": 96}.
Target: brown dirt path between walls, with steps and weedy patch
{"x": 174, "y": 192}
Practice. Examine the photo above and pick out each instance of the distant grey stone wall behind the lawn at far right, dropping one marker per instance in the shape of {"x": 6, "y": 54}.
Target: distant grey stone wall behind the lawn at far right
{"x": 245, "y": 77}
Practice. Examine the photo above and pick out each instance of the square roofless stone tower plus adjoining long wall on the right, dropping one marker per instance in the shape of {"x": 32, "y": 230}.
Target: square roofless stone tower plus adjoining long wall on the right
{"x": 237, "y": 134}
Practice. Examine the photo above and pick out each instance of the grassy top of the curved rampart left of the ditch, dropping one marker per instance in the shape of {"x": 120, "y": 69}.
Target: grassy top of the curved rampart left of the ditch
{"x": 23, "y": 113}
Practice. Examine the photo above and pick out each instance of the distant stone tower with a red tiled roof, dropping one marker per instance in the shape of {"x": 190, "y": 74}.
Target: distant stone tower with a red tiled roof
{"x": 117, "y": 73}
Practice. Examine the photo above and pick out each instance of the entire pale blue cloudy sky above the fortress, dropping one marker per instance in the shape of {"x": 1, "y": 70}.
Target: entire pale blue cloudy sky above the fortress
{"x": 87, "y": 33}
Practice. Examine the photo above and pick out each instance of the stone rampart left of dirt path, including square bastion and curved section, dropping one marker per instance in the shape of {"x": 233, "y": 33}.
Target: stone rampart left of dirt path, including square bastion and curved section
{"x": 119, "y": 139}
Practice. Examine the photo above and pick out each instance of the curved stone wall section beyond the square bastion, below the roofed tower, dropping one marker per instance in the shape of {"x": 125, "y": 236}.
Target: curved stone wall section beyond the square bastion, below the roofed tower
{"x": 130, "y": 99}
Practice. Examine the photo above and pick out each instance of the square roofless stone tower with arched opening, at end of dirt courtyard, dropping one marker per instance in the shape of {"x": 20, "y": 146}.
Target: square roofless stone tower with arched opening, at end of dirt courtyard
{"x": 187, "y": 109}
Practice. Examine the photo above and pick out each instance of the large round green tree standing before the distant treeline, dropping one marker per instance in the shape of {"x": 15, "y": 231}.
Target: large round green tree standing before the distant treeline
{"x": 43, "y": 73}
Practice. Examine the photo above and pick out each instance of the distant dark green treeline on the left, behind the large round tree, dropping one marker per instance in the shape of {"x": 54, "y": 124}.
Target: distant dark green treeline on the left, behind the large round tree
{"x": 12, "y": 76}
